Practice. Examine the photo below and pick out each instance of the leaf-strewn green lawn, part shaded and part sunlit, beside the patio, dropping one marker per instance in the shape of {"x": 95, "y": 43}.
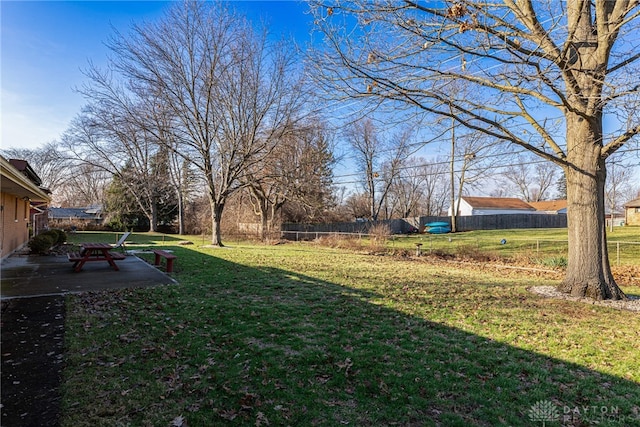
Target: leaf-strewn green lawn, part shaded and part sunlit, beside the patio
{"x": 298, "y": 334}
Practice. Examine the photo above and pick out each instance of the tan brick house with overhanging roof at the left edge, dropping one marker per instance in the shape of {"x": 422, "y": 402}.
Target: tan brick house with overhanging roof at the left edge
{"x": 20, "y": 188}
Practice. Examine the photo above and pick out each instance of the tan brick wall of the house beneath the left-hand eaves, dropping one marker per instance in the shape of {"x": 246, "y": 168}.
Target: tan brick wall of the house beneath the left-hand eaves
{"x": 15, "y": 223}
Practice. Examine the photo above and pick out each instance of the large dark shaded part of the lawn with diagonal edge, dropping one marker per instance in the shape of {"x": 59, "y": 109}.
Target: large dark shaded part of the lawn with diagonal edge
{"x": 239, "y": 345}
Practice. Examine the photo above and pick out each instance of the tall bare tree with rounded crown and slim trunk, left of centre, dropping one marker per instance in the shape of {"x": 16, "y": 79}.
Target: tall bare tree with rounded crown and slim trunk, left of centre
{"x": 230, "y": 89}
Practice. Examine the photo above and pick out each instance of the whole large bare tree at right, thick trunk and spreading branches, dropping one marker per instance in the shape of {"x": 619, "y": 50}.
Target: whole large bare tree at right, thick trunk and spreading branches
{"x": 528, "y": 64}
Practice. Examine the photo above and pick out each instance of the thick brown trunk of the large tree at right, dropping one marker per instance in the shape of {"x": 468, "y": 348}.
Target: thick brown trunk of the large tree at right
{"x": 588, "y": 271}
